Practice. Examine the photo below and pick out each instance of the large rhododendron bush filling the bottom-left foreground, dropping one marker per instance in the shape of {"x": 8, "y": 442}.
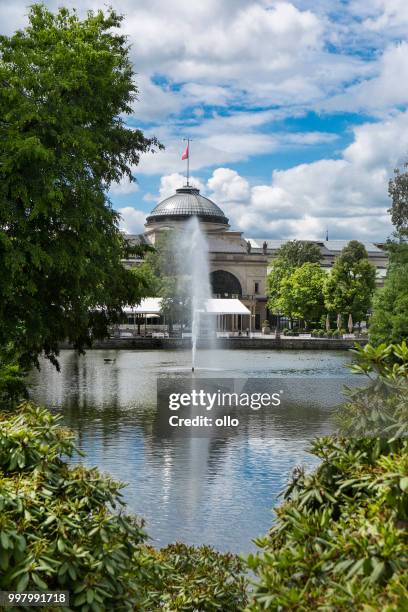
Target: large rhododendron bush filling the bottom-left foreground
{"x": 56, "y": 529}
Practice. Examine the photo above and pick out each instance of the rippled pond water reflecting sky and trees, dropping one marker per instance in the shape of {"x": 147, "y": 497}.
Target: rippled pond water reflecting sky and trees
{"x": 198, "y": 490}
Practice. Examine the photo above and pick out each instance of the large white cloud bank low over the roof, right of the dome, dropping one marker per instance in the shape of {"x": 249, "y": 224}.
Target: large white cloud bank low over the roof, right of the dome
{"x": 347, "y": 195}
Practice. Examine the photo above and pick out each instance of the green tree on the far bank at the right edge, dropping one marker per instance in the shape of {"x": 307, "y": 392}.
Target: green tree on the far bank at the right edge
{"x": 389, "y": 322}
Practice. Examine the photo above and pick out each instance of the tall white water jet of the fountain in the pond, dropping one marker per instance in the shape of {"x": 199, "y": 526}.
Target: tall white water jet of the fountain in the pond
{"x": 195, "y": 264}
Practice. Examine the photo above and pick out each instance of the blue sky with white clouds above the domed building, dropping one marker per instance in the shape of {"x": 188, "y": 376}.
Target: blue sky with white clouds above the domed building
{"x": 297, "y": 110}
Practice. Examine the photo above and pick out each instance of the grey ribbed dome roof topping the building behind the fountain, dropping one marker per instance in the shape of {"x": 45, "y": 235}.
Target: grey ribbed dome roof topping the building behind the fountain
{"x": 187, "y": 202}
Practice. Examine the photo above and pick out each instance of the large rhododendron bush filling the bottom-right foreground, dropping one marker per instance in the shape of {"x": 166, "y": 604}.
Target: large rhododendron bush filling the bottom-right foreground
{"x": 340, "y": 539}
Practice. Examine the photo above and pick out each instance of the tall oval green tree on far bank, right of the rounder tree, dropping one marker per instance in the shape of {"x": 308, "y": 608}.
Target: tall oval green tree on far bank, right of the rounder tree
{"x": 350, "y": 285}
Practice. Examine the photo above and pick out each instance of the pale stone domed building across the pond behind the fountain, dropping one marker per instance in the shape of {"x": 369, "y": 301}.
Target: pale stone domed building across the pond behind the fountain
{"x": 238, "y": 265}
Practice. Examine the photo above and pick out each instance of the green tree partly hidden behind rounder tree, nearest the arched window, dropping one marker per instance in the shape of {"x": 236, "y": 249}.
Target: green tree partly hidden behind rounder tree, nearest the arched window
{"x": 290, "y": 256}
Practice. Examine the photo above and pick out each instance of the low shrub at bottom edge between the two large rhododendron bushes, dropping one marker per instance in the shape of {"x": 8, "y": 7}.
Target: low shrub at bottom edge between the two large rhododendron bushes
{"x": 187, "y": 578}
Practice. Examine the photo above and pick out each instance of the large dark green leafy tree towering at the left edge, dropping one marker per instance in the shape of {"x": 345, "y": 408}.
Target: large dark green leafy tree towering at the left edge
{"x": 66, "y": 85}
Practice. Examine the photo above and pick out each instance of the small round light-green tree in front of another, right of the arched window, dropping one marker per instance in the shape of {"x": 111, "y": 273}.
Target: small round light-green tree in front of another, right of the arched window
{"x": 302, "y": 293}
